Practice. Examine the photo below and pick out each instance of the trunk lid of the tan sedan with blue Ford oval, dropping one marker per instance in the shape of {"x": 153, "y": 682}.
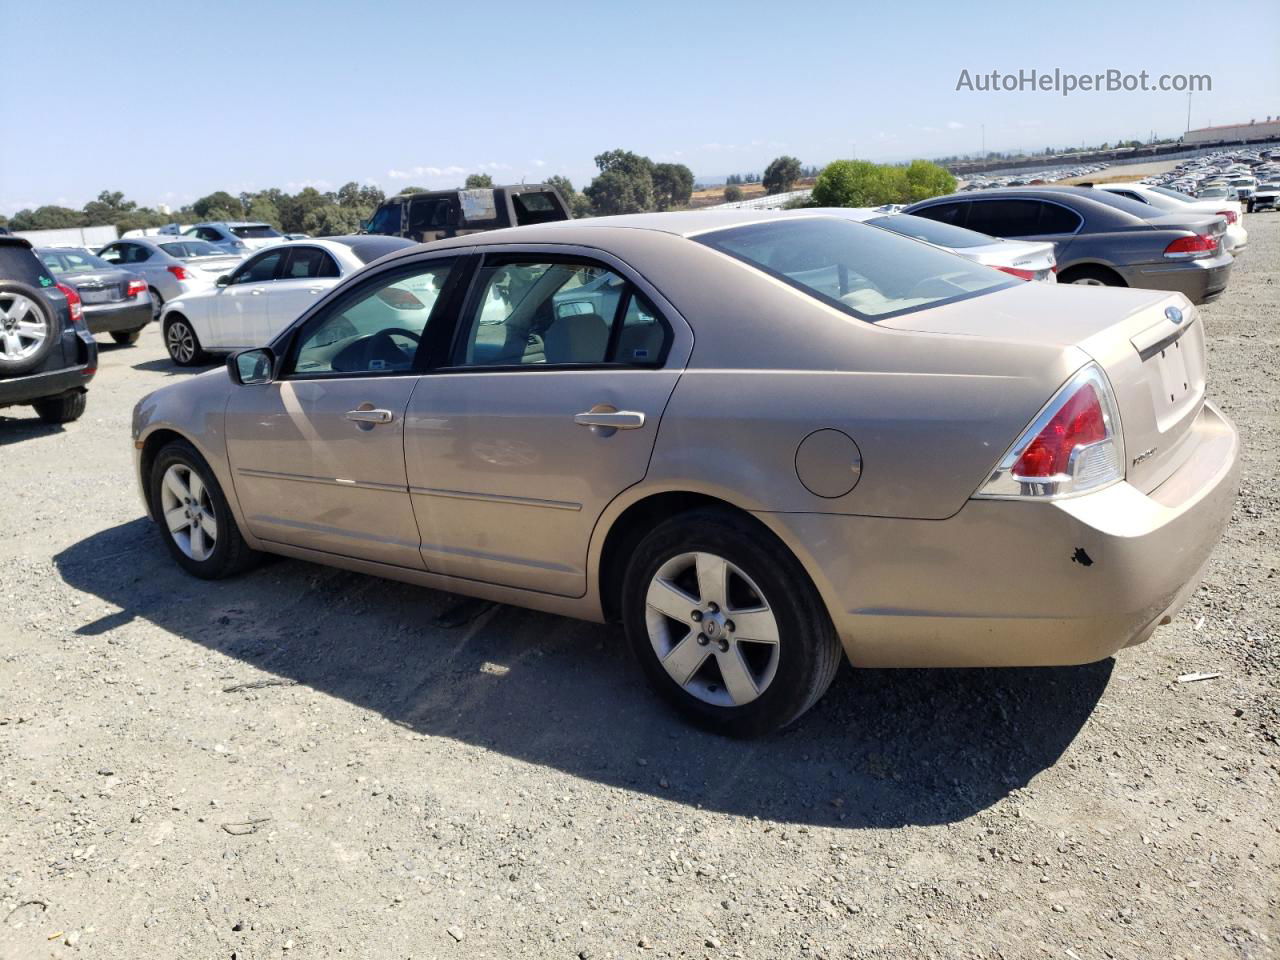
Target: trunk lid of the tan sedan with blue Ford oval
{"x": 1154, "y": 362}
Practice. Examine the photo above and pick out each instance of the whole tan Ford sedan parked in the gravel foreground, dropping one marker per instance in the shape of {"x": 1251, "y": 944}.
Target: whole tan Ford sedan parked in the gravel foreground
{"x": 790, "y": 440}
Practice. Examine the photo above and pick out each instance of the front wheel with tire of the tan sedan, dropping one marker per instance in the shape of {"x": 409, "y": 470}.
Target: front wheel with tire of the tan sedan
{"x": 194, "y": 516}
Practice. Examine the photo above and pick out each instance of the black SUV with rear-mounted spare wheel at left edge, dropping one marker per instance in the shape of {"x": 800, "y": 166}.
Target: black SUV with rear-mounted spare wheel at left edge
{"x": 48, "y": 355}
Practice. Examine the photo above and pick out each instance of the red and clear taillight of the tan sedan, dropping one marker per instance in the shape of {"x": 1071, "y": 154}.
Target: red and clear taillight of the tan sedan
{"x": 1075, "y": 446}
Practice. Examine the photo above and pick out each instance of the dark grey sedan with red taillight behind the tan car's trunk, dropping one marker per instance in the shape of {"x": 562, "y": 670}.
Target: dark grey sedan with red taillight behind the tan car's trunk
{"x": 1101, "y": 240}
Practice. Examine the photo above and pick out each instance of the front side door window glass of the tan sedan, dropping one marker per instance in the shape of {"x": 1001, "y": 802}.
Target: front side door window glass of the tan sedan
{"x": 376, "y": 331}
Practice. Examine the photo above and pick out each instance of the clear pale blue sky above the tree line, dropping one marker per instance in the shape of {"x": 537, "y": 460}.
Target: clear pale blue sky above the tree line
{"x": 168, "y": 102}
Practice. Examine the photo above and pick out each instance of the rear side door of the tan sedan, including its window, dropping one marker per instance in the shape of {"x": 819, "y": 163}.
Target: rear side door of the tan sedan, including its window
{"x": 547, "y": 410}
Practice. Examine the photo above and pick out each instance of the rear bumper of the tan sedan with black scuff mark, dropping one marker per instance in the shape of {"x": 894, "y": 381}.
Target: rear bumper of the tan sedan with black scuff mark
{"x": 1018, "y": 583}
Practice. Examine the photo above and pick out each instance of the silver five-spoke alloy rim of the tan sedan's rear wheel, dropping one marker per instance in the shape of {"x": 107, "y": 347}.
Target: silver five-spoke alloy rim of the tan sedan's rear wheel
{"x": 712, "y": 629}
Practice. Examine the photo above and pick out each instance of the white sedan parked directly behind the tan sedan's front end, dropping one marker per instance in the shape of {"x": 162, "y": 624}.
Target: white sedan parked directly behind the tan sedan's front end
{"x": 264, "y": 295}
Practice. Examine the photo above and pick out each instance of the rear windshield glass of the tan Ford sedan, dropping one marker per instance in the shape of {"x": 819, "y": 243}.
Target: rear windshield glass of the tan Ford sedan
{"x": 866, "y": 272}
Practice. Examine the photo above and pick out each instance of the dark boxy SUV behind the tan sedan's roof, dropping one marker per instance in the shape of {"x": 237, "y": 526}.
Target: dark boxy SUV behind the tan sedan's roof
{"x": 452, "y": 213}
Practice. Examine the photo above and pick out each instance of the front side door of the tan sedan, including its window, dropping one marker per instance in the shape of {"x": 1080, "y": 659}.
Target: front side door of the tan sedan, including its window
{"x": 318, "y": 455}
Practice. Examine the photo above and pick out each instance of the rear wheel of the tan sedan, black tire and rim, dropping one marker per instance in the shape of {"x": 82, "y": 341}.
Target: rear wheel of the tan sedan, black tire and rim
{"x": 728, "y": 625}
